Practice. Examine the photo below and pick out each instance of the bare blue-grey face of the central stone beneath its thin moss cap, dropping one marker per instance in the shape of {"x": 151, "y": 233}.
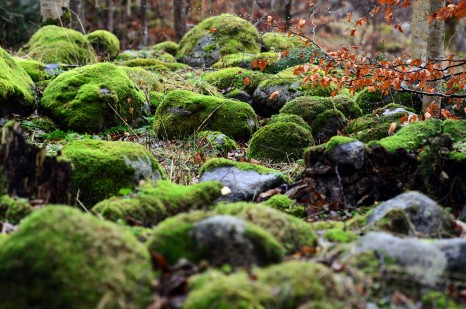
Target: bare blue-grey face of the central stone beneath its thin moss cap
{"x": 244, "y": 185}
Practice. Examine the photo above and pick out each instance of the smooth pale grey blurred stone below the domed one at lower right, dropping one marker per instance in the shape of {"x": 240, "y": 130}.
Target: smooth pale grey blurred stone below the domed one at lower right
{"x": 423, "y": 261}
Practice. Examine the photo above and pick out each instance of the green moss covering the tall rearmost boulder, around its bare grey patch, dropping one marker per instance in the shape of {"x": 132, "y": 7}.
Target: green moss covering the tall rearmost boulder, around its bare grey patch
{"x": 232, "y": 35}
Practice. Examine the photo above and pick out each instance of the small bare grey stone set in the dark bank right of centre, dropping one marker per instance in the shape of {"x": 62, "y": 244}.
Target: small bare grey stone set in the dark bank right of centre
{"x": 350, "y": 154}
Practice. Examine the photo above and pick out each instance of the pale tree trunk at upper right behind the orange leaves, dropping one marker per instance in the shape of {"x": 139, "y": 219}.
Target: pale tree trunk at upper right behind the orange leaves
{"x": 428, "y": 40}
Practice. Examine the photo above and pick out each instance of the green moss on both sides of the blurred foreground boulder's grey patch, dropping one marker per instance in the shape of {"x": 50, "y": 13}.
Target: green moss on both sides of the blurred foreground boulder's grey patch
{"x": 174, "y": 239}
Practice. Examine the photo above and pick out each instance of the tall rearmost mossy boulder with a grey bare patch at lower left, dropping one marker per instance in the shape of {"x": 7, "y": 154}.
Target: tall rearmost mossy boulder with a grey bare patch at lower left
{"x": 215, "y": 37}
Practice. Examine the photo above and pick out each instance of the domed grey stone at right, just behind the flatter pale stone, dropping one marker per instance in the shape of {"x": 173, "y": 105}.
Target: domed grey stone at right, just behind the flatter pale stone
{"x": 424, "y": 216}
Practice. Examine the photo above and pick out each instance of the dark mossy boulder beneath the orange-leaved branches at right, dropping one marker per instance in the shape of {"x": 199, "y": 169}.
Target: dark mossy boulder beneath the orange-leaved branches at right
{"x": 370, "y": 101}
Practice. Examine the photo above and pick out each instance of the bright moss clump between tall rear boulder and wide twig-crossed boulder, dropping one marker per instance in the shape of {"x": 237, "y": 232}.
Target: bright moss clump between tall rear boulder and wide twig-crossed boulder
{"x": 230, "y": 79}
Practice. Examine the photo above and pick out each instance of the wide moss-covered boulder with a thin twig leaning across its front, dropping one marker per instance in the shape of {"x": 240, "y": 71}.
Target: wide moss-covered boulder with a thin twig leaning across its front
{"x": 183, "y": 113}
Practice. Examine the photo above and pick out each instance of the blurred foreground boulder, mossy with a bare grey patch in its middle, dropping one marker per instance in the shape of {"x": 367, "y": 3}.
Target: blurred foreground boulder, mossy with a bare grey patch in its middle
{"x": 219, "y": 239}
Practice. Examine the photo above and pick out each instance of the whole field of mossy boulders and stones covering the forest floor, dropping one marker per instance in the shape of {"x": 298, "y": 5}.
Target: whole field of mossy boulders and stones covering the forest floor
{"x": 207, "y": 174}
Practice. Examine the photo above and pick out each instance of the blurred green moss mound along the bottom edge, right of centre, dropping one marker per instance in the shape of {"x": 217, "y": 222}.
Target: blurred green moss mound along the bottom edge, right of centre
{"x": 287, "y": 285}
